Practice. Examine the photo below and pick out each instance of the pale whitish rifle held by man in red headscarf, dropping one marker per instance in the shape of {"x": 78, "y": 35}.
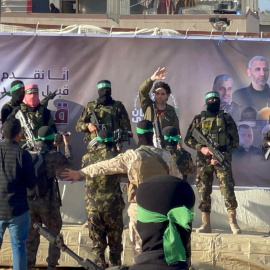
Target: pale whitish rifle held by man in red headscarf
{"x": 28, "y": 127}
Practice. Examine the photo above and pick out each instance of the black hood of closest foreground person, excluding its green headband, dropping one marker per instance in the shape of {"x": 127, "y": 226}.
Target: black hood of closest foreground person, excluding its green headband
{"x": 161, "y": 194}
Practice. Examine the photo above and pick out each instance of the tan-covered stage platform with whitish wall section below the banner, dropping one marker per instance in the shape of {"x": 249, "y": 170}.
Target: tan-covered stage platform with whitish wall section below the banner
{"x": 218, "y": 250}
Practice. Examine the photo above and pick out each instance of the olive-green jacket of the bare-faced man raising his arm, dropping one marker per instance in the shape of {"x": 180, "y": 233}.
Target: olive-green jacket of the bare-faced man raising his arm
{"x": 169, "y": 118}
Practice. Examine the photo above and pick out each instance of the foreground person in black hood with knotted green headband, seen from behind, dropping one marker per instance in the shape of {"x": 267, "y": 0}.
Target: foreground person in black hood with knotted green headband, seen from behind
{"x": 164, "y": 223}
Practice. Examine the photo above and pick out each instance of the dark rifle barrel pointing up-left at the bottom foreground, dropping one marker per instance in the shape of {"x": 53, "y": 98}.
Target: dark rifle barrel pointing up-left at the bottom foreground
{"x": 59, "y": 242}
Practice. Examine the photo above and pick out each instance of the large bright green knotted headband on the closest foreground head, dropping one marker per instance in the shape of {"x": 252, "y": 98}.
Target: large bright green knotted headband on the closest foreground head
{"x": 174, "y": 250}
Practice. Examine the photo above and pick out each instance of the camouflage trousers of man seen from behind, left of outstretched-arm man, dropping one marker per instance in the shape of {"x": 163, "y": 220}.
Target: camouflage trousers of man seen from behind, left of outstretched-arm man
{"x": 105, "y": 229}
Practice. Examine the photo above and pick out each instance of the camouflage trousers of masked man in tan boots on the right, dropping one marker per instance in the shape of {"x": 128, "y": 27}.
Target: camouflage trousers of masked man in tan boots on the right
{"x": 204, "y": 181}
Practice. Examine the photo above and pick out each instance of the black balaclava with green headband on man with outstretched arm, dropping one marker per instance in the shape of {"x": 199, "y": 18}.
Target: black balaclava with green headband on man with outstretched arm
{"x": 145, "y": 132}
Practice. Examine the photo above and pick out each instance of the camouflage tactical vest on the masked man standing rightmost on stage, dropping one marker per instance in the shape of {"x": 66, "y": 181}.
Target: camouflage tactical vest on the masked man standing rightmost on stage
{"x": 214, "y": 126}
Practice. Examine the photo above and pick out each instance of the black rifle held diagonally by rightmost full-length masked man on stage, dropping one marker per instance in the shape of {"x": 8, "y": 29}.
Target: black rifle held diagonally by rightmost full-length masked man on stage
{"x": 212, "y": 146}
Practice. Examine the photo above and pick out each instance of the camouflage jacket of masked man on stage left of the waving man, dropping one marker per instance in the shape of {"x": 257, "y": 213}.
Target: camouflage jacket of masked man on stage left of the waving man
{"x": 112, "y": 117}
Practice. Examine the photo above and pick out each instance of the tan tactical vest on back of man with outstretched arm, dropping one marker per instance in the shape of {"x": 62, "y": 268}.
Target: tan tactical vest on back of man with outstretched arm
{"x": 151, "y": 164}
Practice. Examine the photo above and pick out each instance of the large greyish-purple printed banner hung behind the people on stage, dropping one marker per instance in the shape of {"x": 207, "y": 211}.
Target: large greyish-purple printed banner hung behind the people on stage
{"x": 74, "y": 64}
